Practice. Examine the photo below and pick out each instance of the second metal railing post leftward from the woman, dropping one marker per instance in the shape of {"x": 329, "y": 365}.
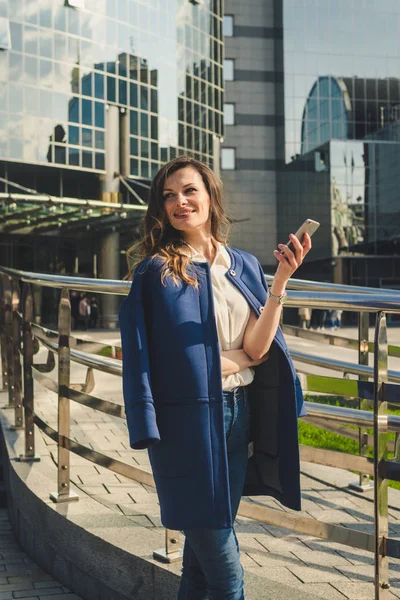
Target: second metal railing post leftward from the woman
{"x": 27, "y": 339}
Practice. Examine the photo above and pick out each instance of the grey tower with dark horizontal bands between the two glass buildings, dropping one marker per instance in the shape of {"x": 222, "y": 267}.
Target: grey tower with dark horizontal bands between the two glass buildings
{"x": 253, "y": 143}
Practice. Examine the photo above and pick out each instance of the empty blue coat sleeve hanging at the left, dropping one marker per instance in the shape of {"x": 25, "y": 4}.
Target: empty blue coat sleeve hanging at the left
{"x": 136, "y": 381}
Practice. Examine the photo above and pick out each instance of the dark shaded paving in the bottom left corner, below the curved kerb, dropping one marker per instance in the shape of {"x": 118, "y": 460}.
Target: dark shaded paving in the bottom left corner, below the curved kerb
{"x": 22, "y": 578}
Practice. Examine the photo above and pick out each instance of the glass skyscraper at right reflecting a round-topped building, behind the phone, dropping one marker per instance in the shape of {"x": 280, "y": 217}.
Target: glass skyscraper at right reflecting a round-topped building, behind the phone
{"x": 341, "y": 152}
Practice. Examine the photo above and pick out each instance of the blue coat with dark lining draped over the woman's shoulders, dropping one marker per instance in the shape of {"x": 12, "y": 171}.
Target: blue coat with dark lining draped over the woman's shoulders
{"x": 172, "y": 389}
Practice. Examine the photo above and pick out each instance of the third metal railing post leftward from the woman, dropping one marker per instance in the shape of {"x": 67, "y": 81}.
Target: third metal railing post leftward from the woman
{"x": 16, "y": 357}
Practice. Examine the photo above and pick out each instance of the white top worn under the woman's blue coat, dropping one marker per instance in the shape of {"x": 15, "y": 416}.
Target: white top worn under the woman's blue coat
{"x": 232, "y": 313}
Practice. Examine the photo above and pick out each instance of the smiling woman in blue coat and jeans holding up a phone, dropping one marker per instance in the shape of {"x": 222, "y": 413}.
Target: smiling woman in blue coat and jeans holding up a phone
{"x": 209, "y": 386}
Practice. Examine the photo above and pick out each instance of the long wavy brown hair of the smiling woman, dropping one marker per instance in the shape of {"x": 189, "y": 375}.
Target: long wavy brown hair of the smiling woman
{"x": 160, "y": 239}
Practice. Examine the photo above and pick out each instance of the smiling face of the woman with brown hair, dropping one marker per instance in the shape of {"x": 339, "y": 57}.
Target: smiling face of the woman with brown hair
{"x": 186, "y": 201}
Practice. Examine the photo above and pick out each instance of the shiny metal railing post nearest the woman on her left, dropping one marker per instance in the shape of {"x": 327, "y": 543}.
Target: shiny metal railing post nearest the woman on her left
{"x": 64, "y": 493}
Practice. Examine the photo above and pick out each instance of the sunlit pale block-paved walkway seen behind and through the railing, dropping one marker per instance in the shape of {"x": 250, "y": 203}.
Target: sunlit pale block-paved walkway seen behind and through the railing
{"x": 319, "y": 567}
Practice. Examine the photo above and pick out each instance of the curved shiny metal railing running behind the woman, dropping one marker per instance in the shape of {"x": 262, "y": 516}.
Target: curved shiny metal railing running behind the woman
{"x": 375, "y": 387}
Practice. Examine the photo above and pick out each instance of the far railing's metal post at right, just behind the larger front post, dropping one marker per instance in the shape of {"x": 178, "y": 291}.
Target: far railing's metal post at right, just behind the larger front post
{"x": 364, "y": 484}
